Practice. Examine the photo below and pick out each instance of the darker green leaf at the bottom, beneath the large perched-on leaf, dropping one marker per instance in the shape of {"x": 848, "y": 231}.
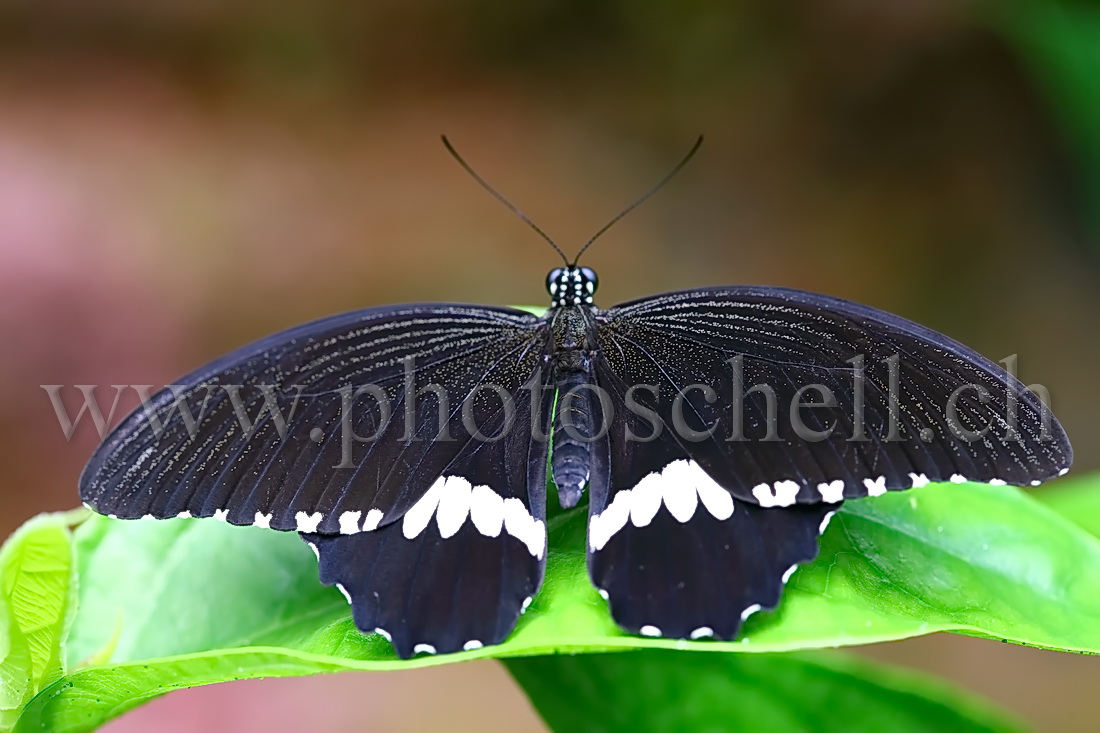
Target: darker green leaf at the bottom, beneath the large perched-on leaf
{"x": 659, "y": 691}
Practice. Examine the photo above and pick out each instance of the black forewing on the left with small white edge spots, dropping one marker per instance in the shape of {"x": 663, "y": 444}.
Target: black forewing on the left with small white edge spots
{"x": 276, "y": 432}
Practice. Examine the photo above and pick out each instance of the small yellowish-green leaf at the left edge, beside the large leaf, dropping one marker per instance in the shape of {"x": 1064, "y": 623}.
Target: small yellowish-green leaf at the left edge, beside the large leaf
{"x": 36, "y": 566}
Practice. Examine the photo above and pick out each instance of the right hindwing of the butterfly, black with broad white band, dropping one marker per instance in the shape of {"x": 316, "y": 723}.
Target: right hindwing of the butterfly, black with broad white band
{"x": 675, "y": 553}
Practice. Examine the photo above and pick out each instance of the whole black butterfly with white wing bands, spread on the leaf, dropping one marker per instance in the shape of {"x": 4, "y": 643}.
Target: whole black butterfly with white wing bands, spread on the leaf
{"x": 716, "y": 431}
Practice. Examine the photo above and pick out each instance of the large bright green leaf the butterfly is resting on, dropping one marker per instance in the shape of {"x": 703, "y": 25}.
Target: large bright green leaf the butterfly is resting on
{"x": 184, "y": 603}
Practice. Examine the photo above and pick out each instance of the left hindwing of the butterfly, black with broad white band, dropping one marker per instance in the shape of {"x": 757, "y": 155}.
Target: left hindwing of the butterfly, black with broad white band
{"x": 463, "y": 565}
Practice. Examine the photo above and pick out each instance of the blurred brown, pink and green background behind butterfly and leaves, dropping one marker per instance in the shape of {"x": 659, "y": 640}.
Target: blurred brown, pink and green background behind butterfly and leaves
{"x": 181, "y": 178}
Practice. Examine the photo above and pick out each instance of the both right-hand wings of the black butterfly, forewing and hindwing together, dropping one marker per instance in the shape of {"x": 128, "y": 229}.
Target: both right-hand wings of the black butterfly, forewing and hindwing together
{"x": 709, "y": 502}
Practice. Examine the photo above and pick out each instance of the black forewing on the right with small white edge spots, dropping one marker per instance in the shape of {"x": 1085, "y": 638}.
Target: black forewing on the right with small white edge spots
{"x": 909, "y": 406}
